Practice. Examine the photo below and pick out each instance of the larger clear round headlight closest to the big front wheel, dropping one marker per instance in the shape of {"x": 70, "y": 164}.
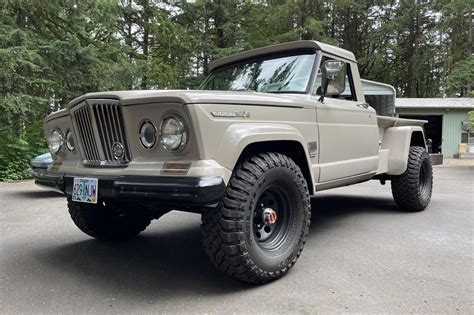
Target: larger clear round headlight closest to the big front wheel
{"x": 173, "y": 134}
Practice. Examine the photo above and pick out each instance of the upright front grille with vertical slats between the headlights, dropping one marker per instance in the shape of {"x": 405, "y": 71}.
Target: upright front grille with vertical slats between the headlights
{"x": 99, "y": 125}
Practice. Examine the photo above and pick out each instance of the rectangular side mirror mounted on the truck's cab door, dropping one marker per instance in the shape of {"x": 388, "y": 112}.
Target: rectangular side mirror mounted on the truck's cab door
{"x": 333, "y": 78}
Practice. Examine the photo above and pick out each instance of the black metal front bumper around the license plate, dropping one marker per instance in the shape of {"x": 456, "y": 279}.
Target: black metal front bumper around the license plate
{"x": 168, "y": 190}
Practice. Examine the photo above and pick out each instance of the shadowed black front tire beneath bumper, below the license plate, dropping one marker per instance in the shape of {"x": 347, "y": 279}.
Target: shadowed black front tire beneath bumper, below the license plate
{"x": 107, "y": 222}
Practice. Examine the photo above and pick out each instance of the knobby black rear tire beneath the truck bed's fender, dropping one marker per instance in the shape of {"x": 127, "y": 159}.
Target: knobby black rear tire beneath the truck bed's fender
{"x": 412, "y": 189}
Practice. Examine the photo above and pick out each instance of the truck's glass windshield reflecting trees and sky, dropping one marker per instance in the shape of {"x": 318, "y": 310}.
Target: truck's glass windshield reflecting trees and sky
{"x": 280, "y": 74}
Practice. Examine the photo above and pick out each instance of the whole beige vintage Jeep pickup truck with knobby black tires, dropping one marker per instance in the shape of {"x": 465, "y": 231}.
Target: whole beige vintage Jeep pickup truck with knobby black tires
{"x": 266, "y": 130}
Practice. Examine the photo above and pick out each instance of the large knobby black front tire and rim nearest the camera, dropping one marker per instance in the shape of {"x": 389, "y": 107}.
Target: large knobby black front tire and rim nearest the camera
{"x": 230, "y": 232}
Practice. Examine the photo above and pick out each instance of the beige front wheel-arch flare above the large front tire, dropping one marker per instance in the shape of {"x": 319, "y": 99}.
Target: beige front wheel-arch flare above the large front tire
{"x": 240, "y": 135}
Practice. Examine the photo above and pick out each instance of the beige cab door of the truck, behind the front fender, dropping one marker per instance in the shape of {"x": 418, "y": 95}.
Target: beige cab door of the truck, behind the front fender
{"x": 348, "y": 133}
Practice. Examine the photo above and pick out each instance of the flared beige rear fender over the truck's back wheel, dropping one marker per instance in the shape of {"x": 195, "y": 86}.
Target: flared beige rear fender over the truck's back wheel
{"x": 398, "y": 141}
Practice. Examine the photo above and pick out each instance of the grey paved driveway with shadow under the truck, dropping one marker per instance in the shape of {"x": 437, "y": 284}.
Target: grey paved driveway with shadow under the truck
{"x": 362, "y": 255}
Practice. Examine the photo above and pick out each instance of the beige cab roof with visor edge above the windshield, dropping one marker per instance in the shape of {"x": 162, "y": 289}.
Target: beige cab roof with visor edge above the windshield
{"x": 280, "y": 48}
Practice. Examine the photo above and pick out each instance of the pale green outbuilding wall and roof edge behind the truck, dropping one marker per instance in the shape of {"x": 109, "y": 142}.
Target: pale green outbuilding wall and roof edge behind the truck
{"x": 452, "y": 130}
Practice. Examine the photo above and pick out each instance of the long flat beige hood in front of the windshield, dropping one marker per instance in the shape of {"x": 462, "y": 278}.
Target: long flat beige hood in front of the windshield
{"x": 199, "y": 97}
